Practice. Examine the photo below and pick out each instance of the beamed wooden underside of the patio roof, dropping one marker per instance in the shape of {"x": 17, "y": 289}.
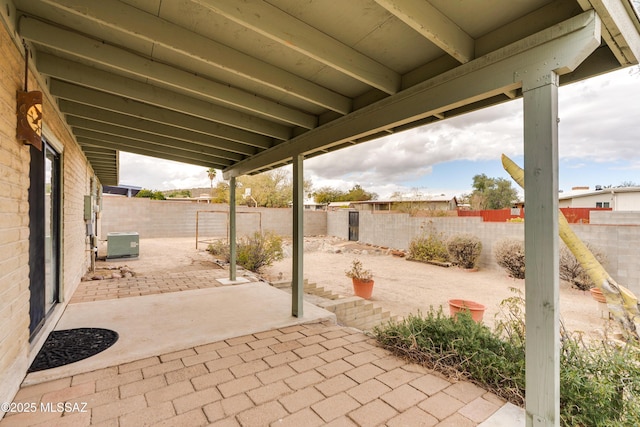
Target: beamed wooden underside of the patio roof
{"x": 247, "y": 86}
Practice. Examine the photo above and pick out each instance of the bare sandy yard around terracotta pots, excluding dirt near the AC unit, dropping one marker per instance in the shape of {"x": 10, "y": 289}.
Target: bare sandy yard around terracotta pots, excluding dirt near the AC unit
{"x": 404, "y": 287}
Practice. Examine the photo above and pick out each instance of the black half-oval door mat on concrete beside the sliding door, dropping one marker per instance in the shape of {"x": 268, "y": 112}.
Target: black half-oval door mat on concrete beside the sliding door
{"x": 71, "y": 345}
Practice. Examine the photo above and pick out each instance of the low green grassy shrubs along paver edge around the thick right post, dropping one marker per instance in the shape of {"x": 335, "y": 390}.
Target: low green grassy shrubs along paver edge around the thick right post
{"x": 599, "y": 381}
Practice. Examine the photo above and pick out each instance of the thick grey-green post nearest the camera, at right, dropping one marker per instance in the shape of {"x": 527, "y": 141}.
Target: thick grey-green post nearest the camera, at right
{"x": 541, "y": 247}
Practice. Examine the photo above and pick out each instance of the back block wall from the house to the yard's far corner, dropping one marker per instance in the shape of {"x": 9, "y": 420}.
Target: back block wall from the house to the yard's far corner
{"x": 166, "y": 218}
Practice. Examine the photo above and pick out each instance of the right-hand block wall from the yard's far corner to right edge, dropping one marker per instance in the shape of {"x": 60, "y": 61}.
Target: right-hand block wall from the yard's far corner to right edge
{"x": 620, "y": 243}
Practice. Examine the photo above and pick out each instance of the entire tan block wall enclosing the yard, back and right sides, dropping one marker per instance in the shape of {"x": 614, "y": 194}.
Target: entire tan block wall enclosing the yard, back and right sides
{"x": 617, "y": 234}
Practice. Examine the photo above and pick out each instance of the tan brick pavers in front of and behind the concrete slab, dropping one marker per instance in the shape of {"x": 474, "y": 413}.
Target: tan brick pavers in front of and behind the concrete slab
{"x": 305, "y": 375}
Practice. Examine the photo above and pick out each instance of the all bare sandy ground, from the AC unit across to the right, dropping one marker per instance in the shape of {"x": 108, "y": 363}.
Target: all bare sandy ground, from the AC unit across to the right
{"x": 401, "y": 286}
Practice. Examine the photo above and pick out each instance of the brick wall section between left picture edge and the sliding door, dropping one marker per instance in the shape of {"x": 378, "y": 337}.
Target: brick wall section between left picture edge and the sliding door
{"x": 14, "y": 228}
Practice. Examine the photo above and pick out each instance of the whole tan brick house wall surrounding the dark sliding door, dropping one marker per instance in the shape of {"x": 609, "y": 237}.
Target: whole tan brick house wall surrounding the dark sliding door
{"x": 16, "y": 353}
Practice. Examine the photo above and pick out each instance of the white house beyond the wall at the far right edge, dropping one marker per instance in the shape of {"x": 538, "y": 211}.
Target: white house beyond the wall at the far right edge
{"x": 618, "y": 199}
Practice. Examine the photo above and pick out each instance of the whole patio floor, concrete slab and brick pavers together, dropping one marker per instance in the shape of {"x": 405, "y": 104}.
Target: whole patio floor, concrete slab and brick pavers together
{"x": 192, "y": 352}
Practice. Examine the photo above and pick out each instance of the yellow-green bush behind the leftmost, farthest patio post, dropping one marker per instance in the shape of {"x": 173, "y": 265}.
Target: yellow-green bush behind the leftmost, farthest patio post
{"x": 252, "y": 252}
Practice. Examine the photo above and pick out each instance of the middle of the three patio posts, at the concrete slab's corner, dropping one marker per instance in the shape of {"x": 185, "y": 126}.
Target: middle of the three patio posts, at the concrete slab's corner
{"x": 297, "y": 281}
